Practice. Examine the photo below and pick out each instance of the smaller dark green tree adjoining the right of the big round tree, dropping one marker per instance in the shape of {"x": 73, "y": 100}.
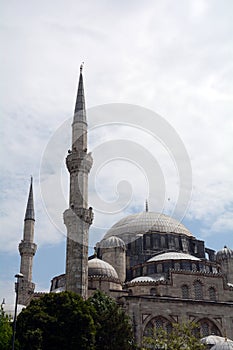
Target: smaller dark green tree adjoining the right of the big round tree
{"x": 113, "y": 326}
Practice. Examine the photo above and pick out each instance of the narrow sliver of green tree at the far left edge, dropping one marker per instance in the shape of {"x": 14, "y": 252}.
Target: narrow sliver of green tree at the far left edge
{"x": 5, "y": 330}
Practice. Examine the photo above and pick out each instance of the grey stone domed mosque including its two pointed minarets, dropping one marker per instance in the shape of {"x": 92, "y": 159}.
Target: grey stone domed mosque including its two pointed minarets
{"x": 149, "y": 262}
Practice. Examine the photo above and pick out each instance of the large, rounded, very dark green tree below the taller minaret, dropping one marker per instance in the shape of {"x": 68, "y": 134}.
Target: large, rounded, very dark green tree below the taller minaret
{"x": 56, "y": 321}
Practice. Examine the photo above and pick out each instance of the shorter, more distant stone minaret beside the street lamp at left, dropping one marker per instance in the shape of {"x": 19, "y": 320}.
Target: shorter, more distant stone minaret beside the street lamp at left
{"x": 27, "y": 250}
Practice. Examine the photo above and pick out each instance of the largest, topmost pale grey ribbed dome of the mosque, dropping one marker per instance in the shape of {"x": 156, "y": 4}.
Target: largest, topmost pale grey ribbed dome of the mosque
{"x": 132, "y": 225}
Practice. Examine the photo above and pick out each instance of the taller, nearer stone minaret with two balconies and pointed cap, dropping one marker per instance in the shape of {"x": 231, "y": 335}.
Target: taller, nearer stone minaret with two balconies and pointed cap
{"x": 78, "y": 217}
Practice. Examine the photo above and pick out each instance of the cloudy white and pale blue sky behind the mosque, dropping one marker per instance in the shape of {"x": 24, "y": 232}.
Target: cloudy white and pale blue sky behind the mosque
{"x": 158, "y": 81}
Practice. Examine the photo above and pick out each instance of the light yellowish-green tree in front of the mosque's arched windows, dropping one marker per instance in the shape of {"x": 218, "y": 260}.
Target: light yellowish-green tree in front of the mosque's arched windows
{"x": 183, "y": 336}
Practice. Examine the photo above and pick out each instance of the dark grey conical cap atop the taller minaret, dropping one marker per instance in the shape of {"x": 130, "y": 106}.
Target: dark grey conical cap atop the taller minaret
{"x": 80, "y": 109}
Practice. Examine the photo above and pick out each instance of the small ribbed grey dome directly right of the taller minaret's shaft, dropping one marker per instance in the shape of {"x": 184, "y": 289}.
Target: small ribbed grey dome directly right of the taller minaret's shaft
{"x": 97, "y": 267}
